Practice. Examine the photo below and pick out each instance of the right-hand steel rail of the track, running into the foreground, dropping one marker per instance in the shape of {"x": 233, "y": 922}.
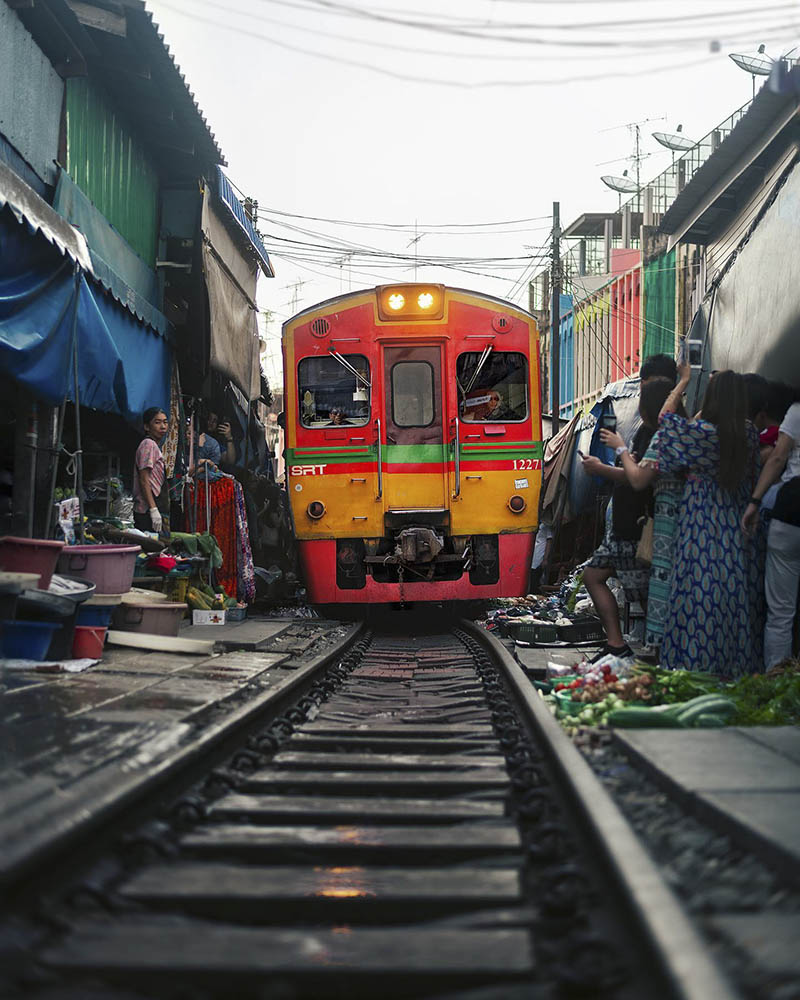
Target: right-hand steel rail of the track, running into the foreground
{"x": 677, "y": 946}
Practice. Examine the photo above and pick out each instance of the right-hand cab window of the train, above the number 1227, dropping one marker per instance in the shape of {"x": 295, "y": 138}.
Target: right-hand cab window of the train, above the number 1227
{"x": 492, "y": 386}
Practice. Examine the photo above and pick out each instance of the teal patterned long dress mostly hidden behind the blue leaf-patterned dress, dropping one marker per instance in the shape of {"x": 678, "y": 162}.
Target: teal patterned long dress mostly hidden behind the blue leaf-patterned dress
{"x": 667, "y": 496}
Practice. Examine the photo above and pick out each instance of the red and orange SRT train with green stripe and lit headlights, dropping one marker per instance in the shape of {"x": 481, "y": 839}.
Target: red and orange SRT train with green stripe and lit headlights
{"x": 413, "y": 445}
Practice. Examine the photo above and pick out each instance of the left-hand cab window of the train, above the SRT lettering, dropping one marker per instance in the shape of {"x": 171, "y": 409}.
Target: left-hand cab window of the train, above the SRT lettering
{"x": 334, "y": 390}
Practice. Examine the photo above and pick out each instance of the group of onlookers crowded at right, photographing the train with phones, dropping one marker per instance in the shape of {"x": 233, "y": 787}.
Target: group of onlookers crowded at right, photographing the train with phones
{"x": 703, "y": 525}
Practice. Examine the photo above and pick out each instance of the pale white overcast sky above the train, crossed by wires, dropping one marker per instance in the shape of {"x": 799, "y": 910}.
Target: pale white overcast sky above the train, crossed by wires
{"x": 447, "y": 128}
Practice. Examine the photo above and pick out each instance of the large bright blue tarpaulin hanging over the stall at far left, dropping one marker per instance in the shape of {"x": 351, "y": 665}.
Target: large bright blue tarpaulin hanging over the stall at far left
{"x": 45, "y": 302}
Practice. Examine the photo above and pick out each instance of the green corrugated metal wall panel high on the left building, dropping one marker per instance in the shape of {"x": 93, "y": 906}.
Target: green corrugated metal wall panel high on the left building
{"x": 111, "y": 168}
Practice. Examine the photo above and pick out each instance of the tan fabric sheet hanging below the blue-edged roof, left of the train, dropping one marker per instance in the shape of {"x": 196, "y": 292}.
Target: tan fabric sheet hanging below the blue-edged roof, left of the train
{"x": 231, "y": 284}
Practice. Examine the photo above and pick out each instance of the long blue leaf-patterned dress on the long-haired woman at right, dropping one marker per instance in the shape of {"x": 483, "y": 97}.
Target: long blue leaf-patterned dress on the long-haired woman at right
{"x": 715, "y": 616}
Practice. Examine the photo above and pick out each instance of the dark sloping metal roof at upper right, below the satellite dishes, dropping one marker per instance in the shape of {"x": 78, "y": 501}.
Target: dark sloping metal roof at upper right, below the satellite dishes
{"x": 767, "y": 116}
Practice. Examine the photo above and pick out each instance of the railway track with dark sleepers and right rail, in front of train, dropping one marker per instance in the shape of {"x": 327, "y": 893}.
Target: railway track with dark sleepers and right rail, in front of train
{"x": 415, "y": 826}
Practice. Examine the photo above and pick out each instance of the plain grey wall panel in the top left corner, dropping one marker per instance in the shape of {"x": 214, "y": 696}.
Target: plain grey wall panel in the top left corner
{"x": 31, "y": 96}
